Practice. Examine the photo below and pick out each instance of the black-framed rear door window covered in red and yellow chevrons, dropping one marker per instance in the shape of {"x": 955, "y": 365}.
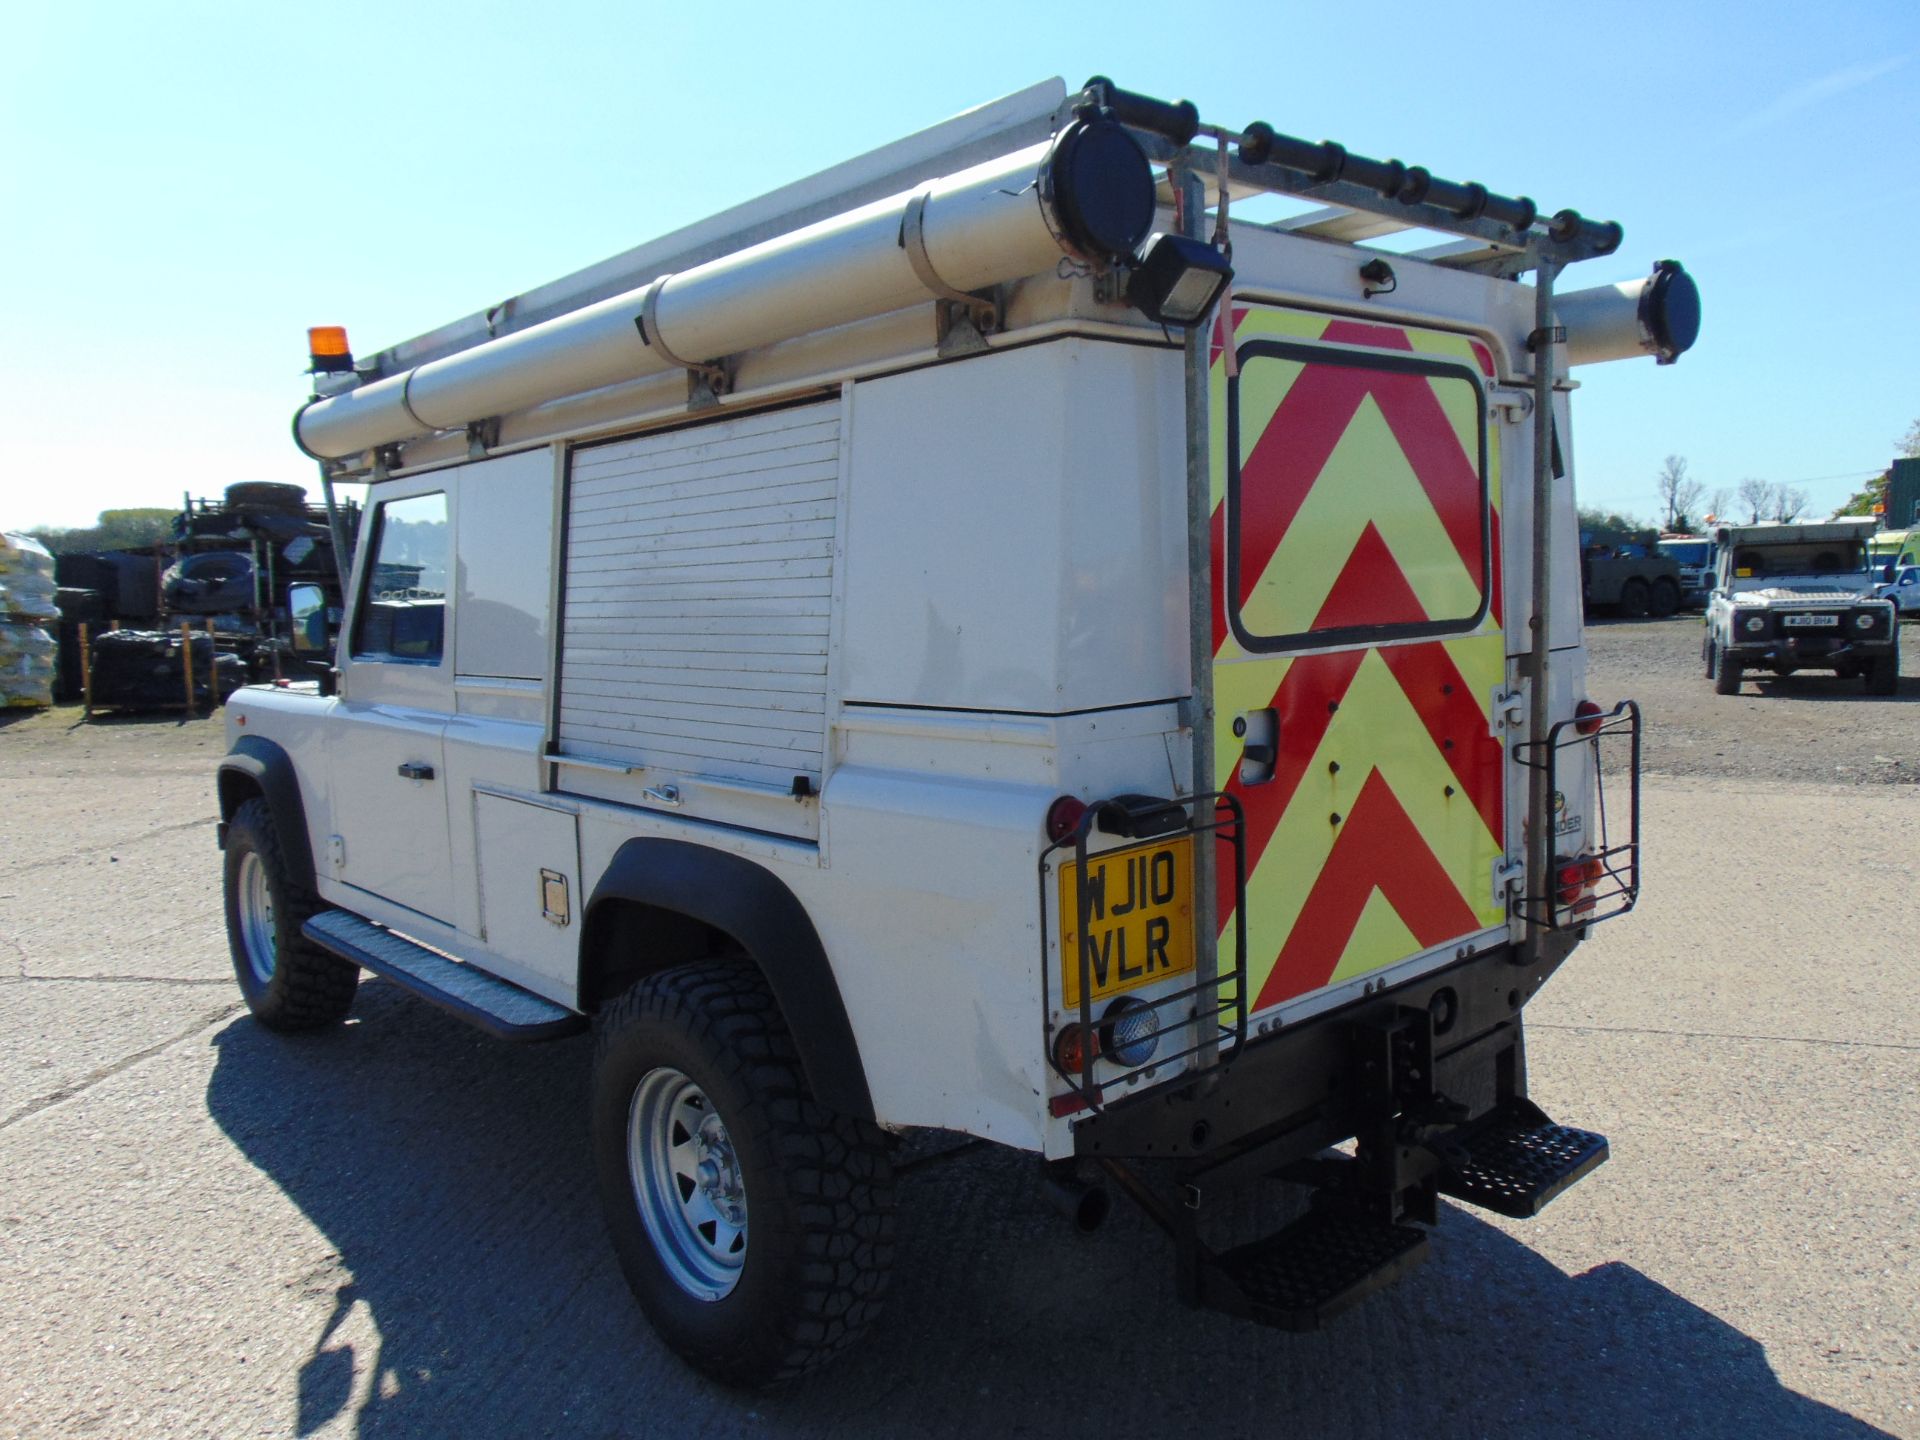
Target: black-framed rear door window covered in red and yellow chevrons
{"x": 1358, "y": 498}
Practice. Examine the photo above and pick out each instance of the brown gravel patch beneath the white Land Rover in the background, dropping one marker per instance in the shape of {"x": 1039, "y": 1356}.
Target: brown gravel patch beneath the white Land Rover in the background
{"x": 1806, "y": 727}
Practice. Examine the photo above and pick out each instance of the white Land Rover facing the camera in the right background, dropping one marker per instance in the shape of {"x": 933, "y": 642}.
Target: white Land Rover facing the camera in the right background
{"x": 1800, "y": 598}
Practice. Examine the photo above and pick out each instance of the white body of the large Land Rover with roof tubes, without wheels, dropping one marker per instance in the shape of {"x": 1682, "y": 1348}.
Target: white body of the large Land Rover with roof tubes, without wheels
{"x": 871, "y": 629}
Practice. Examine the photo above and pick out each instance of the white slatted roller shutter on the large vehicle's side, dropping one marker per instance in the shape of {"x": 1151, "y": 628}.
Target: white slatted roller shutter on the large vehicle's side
{"x": 696, "y": 610}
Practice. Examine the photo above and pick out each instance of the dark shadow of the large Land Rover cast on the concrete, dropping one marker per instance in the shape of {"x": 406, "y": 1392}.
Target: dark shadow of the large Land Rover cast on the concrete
{"x": 452, "y": 1178}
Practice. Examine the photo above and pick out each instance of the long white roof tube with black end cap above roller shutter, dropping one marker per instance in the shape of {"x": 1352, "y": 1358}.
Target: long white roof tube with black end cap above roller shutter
{"x": 1088, "y": 195}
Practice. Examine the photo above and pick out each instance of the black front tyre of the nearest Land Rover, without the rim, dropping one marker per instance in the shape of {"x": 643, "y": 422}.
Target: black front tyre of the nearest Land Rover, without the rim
{"x": 308, "y": 988}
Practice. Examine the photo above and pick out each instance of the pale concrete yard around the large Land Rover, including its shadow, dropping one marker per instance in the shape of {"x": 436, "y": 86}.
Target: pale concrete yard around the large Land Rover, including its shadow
{"x": 391, "y": 1232}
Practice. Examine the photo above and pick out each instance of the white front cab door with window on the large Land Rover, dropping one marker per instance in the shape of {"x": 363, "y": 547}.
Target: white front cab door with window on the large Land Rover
{"x": 387, "y": 750}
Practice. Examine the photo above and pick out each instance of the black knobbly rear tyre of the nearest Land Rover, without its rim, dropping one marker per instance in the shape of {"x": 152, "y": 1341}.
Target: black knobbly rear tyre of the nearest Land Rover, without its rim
{"x": 819, "y": 1186}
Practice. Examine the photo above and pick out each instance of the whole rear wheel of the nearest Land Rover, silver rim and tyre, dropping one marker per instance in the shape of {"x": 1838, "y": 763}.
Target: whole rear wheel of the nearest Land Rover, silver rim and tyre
{"x": 754, "y": 1226}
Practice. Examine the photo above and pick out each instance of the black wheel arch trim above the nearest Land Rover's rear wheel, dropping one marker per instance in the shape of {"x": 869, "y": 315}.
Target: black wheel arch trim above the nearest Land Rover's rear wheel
{"x": 754, "y": 907}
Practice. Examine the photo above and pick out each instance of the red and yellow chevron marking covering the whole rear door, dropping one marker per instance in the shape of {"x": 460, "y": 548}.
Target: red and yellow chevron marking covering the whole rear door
{"x": 1360, "y": 506}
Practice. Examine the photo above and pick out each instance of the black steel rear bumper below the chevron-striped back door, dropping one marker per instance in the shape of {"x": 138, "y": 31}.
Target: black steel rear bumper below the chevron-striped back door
{"x": 1305, "y": 1088}
